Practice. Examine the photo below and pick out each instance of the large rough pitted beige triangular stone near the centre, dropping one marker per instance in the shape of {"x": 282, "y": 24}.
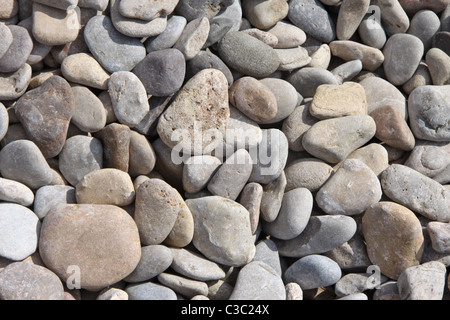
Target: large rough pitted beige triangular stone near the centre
{"x": 196, "y": 110}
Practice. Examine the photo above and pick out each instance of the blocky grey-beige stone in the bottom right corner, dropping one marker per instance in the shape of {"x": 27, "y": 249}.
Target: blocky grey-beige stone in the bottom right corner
{"x": 423, "y": 282}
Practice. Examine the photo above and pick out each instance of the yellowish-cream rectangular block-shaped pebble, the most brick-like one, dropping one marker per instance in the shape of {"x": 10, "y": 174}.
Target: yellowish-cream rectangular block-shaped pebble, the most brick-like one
{"x": 333, "y": 101}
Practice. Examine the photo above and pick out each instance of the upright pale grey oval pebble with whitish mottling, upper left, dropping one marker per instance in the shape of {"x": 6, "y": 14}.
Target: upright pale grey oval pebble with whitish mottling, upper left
{"x": 128, "y": 97}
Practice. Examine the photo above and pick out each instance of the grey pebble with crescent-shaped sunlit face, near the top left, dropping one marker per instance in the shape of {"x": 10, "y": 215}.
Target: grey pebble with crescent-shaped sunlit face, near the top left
{"x": 113, "y": 50}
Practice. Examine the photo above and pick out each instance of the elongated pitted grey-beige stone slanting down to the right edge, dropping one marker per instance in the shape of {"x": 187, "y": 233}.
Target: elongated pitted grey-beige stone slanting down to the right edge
{"x": 417, "y": 192}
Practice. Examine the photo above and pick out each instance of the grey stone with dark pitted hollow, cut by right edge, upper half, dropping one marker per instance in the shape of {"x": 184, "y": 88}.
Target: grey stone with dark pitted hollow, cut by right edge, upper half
{"x": 428, "y": 110}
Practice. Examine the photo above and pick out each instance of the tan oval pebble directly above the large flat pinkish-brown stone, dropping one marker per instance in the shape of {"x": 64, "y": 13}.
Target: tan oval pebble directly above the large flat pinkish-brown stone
{"x": 105, "y": 186}
